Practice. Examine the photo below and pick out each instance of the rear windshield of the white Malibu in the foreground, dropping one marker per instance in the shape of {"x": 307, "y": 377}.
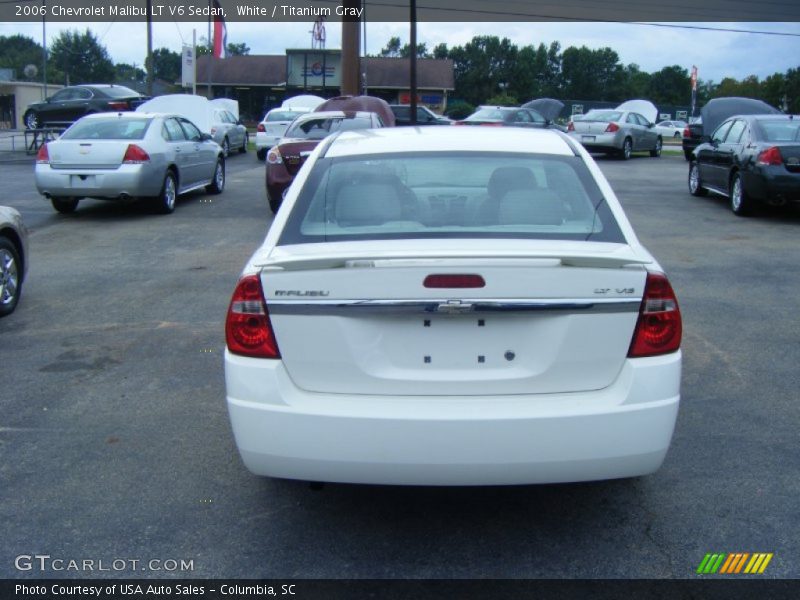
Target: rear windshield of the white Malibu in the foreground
{"x": 450, "y": 195}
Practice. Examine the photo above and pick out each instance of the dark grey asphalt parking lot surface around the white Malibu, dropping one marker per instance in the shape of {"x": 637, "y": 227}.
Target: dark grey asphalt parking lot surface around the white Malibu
{"x": 116, "y": 443}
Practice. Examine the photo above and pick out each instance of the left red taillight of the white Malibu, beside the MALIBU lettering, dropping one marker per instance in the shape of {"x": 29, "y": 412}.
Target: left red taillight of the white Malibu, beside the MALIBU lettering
{"x": 248, "y": 330}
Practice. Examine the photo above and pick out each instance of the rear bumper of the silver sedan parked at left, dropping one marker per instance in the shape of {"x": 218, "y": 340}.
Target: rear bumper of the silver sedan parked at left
{"x": 126, "y": 180}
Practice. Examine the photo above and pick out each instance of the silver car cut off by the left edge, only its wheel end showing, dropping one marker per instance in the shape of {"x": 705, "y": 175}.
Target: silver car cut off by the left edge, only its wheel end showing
{"x": 13, "y": 258}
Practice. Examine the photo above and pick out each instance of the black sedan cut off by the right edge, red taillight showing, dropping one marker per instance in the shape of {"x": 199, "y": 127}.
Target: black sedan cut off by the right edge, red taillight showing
{"x": 750, "y": 159}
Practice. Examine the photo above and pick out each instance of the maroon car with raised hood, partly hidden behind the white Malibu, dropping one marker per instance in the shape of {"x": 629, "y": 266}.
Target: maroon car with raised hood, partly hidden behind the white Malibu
{"x": 306, "y": 131}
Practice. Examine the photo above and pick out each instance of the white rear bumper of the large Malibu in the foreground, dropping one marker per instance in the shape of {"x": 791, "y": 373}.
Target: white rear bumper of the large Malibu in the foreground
{"x": 623, "y": 430}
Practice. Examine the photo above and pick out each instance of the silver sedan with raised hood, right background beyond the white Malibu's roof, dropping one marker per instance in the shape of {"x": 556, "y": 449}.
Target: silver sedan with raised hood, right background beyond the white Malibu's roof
{"x": 616, "y": 131}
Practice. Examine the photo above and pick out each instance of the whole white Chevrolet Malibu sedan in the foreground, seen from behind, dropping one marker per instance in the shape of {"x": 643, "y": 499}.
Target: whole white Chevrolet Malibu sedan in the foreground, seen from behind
{"x": 436, "y": 308}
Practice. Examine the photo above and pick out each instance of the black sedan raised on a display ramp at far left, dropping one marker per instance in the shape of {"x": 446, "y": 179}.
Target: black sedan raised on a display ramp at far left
{"x": 71, "y": 103}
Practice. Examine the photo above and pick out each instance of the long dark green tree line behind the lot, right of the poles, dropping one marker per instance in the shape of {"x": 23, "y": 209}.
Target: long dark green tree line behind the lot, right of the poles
{"x": 490, "y": 70}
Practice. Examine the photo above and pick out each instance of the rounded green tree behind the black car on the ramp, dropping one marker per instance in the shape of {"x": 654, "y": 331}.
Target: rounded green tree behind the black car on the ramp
{"x": 81, "y": 58}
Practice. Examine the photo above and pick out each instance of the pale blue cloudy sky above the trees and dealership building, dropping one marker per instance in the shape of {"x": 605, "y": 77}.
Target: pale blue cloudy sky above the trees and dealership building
{"x": 717, "y": 54}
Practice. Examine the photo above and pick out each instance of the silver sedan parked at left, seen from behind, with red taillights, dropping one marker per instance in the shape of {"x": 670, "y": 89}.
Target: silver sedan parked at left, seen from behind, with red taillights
{"x": 117, "y": 156}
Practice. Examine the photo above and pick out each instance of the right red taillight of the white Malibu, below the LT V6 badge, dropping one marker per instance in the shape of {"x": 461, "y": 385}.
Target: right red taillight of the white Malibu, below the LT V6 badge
{"x": 658, "y": 330}
